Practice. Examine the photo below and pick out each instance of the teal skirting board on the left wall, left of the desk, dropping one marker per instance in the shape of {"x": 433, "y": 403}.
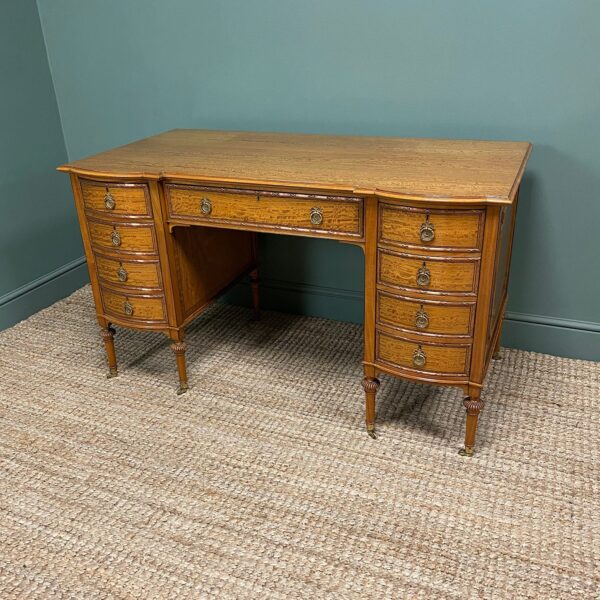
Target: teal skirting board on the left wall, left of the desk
{"x": 42, "y": 292}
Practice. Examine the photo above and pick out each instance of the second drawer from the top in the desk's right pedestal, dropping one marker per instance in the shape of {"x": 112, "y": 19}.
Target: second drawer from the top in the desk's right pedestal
{"x": 427, "y": 273}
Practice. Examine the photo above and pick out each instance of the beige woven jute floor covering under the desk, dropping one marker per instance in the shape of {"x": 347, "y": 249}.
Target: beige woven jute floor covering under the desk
{"x": 261, "y": 481}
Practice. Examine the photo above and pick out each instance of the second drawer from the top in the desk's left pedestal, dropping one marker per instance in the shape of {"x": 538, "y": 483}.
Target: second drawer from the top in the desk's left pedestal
{"x": 124, "y": 237}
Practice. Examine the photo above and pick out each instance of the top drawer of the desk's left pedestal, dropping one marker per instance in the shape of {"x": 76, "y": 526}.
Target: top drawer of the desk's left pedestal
{"x": 119, "y": 199}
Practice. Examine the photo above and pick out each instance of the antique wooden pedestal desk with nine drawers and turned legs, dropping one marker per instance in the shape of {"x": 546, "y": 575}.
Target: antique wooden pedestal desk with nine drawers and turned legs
{"x": 170, "y": 221}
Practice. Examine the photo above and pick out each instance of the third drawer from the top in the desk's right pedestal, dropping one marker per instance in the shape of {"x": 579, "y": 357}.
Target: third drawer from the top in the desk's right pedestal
{"x": 440, "y": 318}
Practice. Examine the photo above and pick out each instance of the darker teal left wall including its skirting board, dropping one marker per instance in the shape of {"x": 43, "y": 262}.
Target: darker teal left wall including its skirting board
{"x": 40, "y": 247}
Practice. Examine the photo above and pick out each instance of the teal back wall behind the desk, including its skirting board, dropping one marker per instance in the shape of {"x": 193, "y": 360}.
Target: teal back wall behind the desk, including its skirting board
{"x": 468, "y": 69}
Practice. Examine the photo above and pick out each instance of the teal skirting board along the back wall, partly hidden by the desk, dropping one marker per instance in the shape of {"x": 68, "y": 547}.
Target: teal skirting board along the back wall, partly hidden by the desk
{"x": 561, "y": 337}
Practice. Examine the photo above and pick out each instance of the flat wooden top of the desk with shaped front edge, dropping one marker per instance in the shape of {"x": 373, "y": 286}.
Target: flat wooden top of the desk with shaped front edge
{"x": 411, "y": 168}
